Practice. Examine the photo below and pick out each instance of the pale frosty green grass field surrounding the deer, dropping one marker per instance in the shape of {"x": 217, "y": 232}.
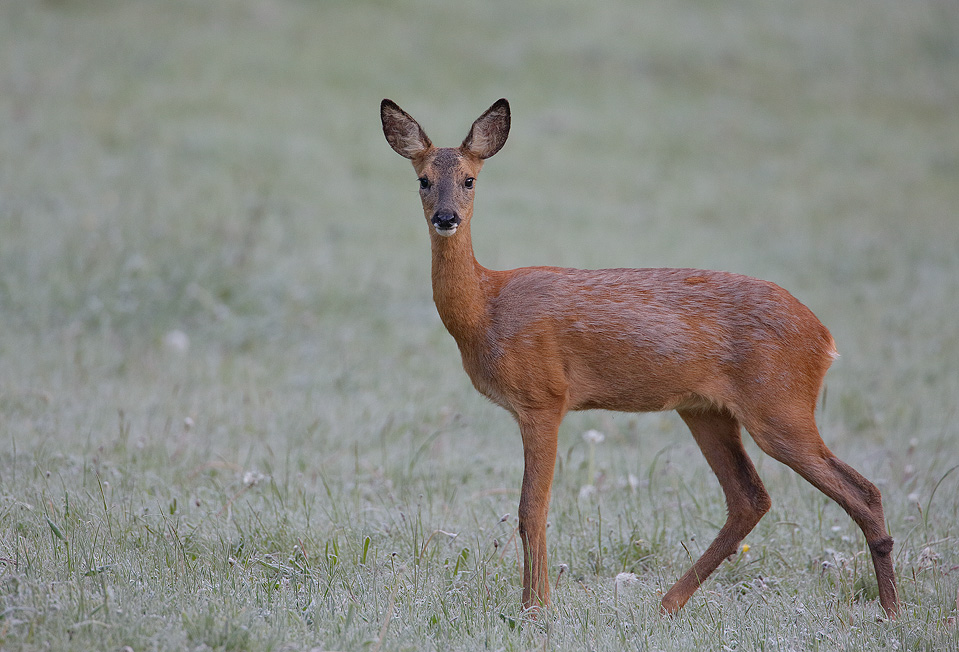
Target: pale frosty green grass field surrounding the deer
{"x": 230, "y": 418}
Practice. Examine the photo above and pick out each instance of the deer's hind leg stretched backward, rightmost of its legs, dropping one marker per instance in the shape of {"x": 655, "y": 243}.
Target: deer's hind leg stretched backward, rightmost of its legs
{"x": 797, "y": 444}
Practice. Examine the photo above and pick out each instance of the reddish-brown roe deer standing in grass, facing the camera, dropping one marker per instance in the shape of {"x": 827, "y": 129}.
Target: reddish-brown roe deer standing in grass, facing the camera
{"x": 721, "y": 349}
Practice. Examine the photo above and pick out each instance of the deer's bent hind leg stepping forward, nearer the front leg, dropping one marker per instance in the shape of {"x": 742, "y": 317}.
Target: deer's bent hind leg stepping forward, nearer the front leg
{"x": 718, "y": 435}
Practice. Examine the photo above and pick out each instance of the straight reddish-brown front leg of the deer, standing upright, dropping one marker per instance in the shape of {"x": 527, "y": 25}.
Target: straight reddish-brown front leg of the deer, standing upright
{"x": 539, "y": 433}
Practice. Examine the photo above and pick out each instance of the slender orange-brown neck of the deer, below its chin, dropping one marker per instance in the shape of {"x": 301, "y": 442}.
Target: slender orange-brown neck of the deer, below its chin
{"x": 459, "y": 284}
